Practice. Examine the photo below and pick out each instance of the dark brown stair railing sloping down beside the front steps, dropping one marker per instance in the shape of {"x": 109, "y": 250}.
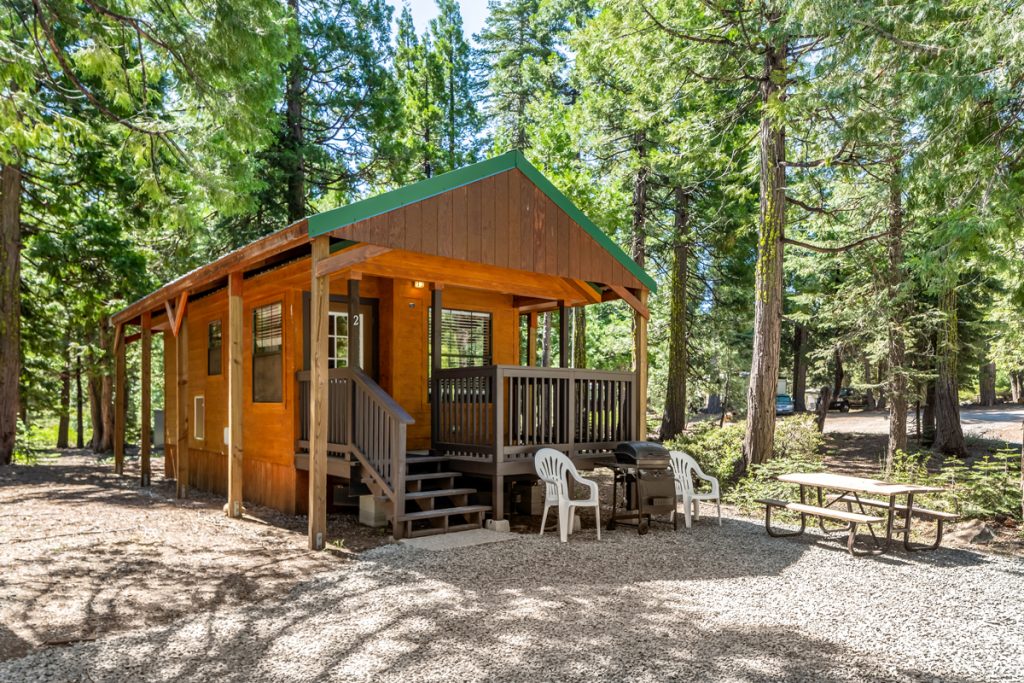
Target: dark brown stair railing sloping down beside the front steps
{"x": 364, "y": 421}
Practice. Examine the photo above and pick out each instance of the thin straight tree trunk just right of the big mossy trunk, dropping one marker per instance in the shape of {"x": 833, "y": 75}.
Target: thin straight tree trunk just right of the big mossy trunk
{"x": 897, "y": 345}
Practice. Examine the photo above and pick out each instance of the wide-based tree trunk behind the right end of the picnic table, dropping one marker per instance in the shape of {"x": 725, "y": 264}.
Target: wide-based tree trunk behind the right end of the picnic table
{"x": 949, "y": 433}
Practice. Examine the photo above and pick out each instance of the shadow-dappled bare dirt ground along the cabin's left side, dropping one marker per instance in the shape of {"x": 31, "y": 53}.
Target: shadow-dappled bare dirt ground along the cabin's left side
{"x": 87, "y": 553}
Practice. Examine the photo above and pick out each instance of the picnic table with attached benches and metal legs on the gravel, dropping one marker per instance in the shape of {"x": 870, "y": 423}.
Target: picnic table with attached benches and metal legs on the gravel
{"x": 857, "y": 494}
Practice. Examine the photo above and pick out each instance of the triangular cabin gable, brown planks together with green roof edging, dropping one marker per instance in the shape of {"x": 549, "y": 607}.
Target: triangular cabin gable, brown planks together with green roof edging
{"x": 546, "y": 216}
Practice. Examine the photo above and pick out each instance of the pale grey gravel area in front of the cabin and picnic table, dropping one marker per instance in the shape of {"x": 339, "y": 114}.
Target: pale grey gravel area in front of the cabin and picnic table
{"x": 713, "y": 604}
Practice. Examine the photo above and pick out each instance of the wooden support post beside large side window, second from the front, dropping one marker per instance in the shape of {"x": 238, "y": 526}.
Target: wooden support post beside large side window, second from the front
{"x": 235, "y": 370}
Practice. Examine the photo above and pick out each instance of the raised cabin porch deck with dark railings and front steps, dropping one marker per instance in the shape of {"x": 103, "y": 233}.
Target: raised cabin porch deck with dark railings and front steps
{"x": 488, "y": 423}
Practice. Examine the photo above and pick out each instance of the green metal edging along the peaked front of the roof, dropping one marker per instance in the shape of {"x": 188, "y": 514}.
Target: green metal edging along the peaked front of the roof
{"x": 328, "y": 222}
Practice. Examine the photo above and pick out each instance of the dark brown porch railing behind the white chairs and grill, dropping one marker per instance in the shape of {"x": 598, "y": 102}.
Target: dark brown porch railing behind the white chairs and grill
{"x": 506, "y": 413}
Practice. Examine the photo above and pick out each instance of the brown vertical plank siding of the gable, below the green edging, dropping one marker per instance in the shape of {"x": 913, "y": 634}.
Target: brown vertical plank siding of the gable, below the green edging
{"x": 504, "y": 222}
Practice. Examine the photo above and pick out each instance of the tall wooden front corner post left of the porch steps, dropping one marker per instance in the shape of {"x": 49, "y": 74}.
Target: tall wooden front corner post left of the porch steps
{"x": 320, "y": 296}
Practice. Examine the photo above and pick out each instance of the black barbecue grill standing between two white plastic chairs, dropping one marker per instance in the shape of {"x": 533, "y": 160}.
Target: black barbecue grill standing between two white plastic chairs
{"x": 644, "y": 471}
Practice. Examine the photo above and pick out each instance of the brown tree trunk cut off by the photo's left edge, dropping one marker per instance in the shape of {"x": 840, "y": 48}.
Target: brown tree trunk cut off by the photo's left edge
{"x": 11, "y": 307}
